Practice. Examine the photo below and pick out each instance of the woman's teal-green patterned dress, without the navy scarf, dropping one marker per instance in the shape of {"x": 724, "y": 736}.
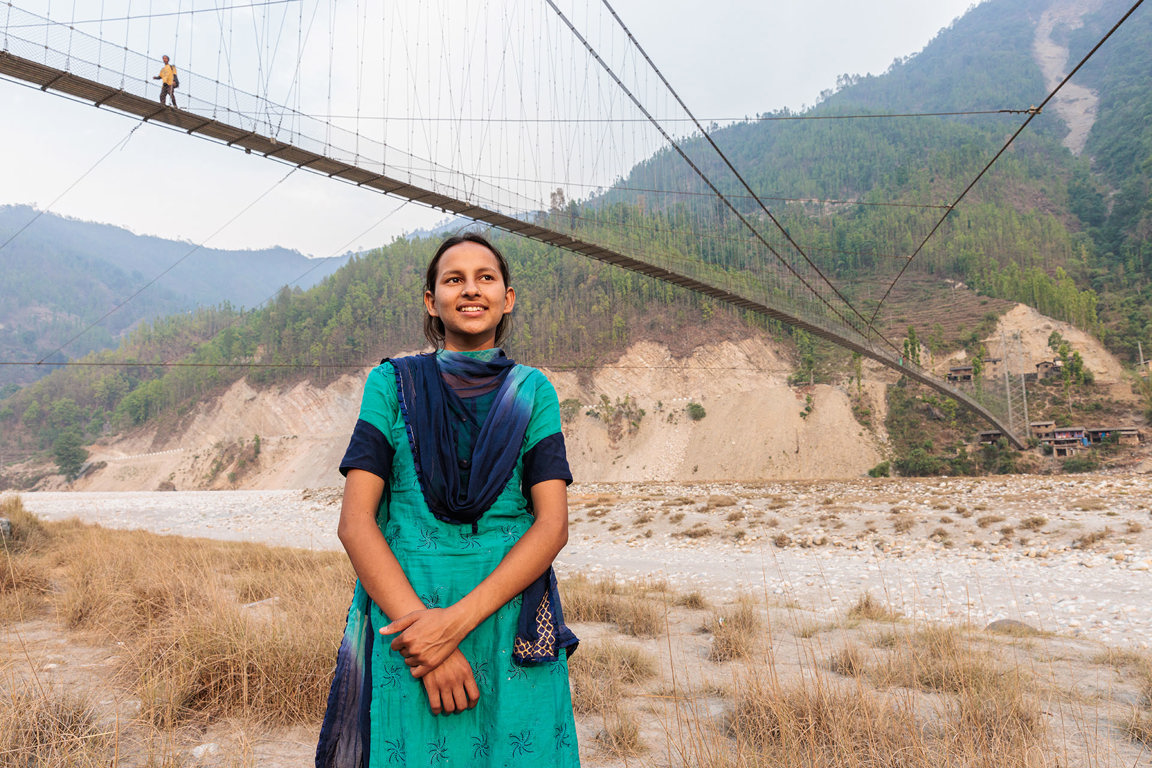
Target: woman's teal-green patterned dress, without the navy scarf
{"x": 525, "y": 714}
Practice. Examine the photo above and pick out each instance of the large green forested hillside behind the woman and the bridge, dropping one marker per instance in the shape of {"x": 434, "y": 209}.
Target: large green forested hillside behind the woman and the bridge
{"x": 1071, "y": 235}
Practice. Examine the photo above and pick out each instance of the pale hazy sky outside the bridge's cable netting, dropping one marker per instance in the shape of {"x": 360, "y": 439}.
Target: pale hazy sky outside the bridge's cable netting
{"x": 726, "y": 59}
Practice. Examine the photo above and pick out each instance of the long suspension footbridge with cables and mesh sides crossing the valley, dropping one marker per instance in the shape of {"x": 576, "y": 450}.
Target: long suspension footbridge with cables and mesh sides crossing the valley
{"x": 645, "y": 172}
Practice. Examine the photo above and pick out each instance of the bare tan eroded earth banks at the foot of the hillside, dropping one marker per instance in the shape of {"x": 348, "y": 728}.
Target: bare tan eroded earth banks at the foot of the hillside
{"x": 756, "y": 427}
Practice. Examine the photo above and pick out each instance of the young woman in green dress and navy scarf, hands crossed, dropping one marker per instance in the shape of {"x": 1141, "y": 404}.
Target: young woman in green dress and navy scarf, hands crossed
{"x": 456, "y": 506}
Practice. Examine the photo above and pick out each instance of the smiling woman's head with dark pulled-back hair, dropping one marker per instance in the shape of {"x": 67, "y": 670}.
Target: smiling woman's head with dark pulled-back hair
{"x": 471, "y": 298}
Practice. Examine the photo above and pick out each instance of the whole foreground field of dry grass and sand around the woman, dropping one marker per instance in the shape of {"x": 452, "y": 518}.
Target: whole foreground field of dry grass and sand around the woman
{"x": 132, "y": 649}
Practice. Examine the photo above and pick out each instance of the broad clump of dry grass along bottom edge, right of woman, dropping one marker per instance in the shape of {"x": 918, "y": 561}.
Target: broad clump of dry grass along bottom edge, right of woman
{"x": 988, "y": 720}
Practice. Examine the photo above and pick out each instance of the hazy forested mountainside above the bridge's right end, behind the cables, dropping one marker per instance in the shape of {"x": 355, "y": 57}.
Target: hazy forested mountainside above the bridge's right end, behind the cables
{"x": 1070, "y": 235}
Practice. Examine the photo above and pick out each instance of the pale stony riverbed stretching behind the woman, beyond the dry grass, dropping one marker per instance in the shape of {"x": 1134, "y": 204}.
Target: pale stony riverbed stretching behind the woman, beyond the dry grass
{"x": 1071, "y": 556}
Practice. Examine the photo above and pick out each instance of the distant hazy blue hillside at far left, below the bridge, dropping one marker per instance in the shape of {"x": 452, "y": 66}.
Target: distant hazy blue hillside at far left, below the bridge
{"x": 60, "y": 276}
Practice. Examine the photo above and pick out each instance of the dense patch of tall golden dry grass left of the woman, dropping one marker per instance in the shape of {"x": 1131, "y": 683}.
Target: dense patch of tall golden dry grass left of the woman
{"x": 207, "y": 629}
